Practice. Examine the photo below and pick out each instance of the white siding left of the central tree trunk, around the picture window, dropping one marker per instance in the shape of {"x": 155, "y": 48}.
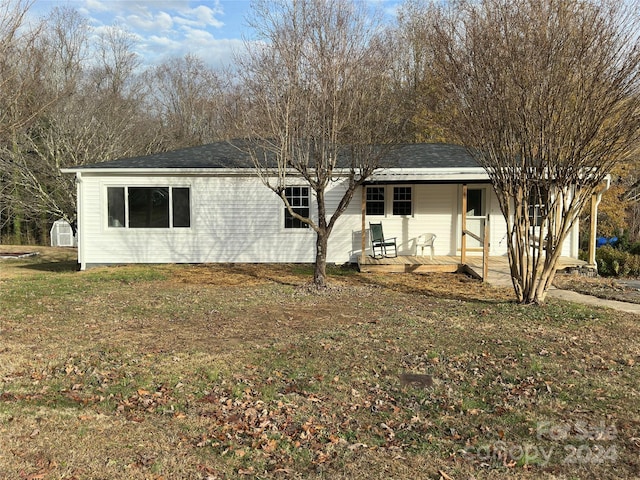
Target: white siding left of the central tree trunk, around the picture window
{"x": 233, "y": 219}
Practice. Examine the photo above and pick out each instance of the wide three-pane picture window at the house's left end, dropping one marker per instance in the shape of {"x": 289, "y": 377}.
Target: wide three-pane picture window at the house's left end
{"x": 148, "y": 207}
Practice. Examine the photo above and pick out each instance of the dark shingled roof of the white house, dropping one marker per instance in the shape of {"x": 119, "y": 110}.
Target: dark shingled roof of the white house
{"x": 227, "y": 155}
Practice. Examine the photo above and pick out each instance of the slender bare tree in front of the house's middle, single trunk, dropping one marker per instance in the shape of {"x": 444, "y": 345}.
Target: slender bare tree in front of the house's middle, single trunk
{"x": 318, "y": 107}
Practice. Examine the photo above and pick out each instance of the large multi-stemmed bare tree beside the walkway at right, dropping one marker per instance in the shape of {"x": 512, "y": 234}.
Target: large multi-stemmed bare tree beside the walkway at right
{"x": 544, "y": 93}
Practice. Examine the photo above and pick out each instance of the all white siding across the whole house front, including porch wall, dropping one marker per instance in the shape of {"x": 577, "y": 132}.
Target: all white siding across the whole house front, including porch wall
{"x": 238, "y": 219}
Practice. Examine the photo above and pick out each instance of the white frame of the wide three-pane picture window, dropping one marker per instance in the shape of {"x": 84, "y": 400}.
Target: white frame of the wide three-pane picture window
{"x": 126, "y": 225}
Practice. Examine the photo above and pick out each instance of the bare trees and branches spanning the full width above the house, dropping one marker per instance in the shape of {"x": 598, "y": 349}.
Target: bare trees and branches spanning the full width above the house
{"x": 564, "y": 75}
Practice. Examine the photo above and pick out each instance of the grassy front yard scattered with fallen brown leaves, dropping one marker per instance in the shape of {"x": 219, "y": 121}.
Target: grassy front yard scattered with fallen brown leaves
{"x": 212, "y": 372}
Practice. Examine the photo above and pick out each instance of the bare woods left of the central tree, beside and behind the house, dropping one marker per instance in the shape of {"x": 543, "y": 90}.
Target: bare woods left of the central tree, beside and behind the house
{"x": 69, "y": 97}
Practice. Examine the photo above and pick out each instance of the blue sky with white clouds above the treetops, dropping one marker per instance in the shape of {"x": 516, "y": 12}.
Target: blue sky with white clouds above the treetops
{"x": 210, "y": 29}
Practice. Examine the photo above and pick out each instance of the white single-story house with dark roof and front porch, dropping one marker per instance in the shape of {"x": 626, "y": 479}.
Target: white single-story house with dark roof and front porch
{"x": 207, "y": 205}
